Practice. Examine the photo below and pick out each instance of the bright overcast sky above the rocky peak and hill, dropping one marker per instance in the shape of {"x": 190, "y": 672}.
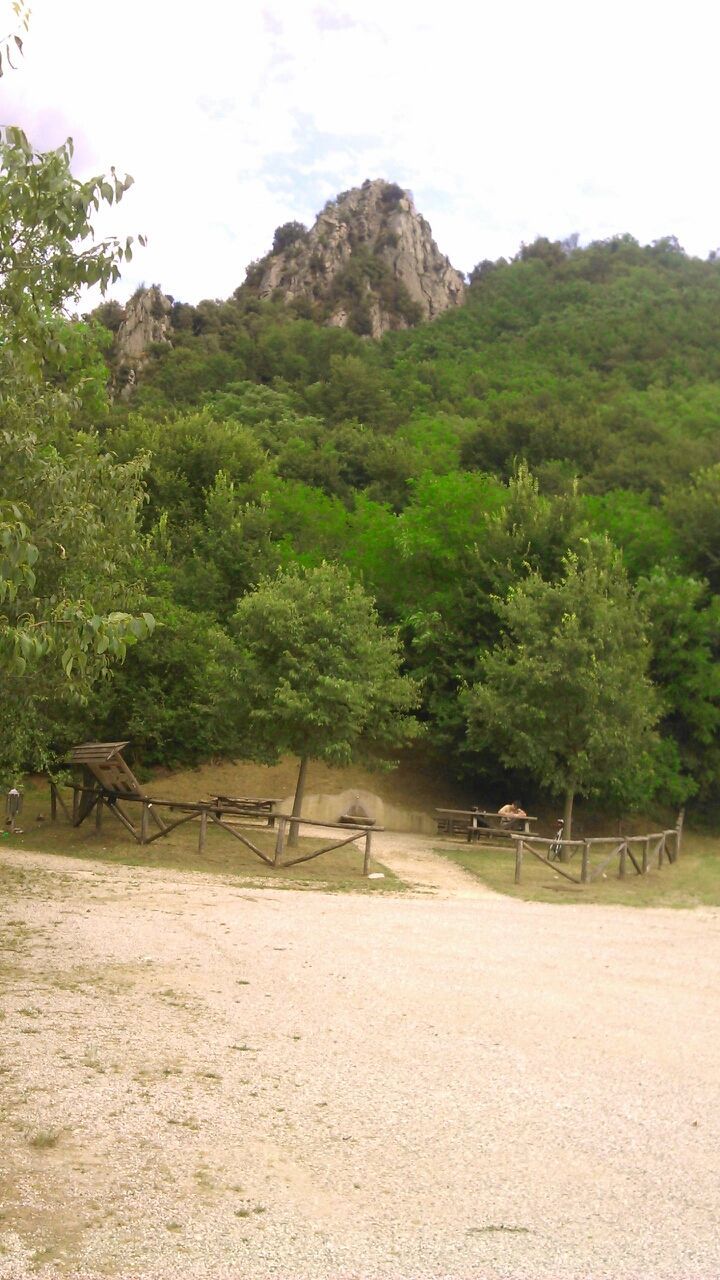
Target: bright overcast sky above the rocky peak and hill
{"x": 505, "y": 120}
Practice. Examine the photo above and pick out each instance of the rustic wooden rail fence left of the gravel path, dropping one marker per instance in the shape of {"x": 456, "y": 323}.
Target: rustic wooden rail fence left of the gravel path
{"x": 225, "y": 816}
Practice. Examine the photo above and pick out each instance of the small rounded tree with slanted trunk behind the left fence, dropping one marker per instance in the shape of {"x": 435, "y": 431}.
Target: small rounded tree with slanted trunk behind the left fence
{"x": 317, "y": 675}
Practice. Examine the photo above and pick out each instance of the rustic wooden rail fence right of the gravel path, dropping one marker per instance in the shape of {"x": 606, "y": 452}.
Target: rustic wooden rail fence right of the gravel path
{"x": 639, "y": 853}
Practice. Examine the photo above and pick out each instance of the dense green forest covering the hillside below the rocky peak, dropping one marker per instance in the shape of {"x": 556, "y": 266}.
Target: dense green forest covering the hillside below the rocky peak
{"x": 564, "y": 422}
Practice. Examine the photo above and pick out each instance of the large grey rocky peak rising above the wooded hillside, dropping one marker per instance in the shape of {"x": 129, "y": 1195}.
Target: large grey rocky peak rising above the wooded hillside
{"x": 370, "y": 264}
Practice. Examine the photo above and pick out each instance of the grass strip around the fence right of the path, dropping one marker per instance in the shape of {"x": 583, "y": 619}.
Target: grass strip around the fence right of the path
{"x": 692, "y": 881}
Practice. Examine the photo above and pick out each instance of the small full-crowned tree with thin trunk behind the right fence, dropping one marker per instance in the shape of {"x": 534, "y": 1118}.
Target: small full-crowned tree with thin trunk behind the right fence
{"x": 566, "y": 697}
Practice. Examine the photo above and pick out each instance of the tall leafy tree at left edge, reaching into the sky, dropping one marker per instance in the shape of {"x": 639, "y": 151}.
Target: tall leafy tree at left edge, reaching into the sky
{"x": 69, "y": 514}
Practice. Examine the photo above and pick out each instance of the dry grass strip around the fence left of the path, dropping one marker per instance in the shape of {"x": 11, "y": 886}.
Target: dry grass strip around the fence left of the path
{"x": 340, "y": 871}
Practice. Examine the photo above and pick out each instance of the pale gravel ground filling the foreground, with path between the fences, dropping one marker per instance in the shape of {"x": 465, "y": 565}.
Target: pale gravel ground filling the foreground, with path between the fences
{"x": 206, "y": 1082}
